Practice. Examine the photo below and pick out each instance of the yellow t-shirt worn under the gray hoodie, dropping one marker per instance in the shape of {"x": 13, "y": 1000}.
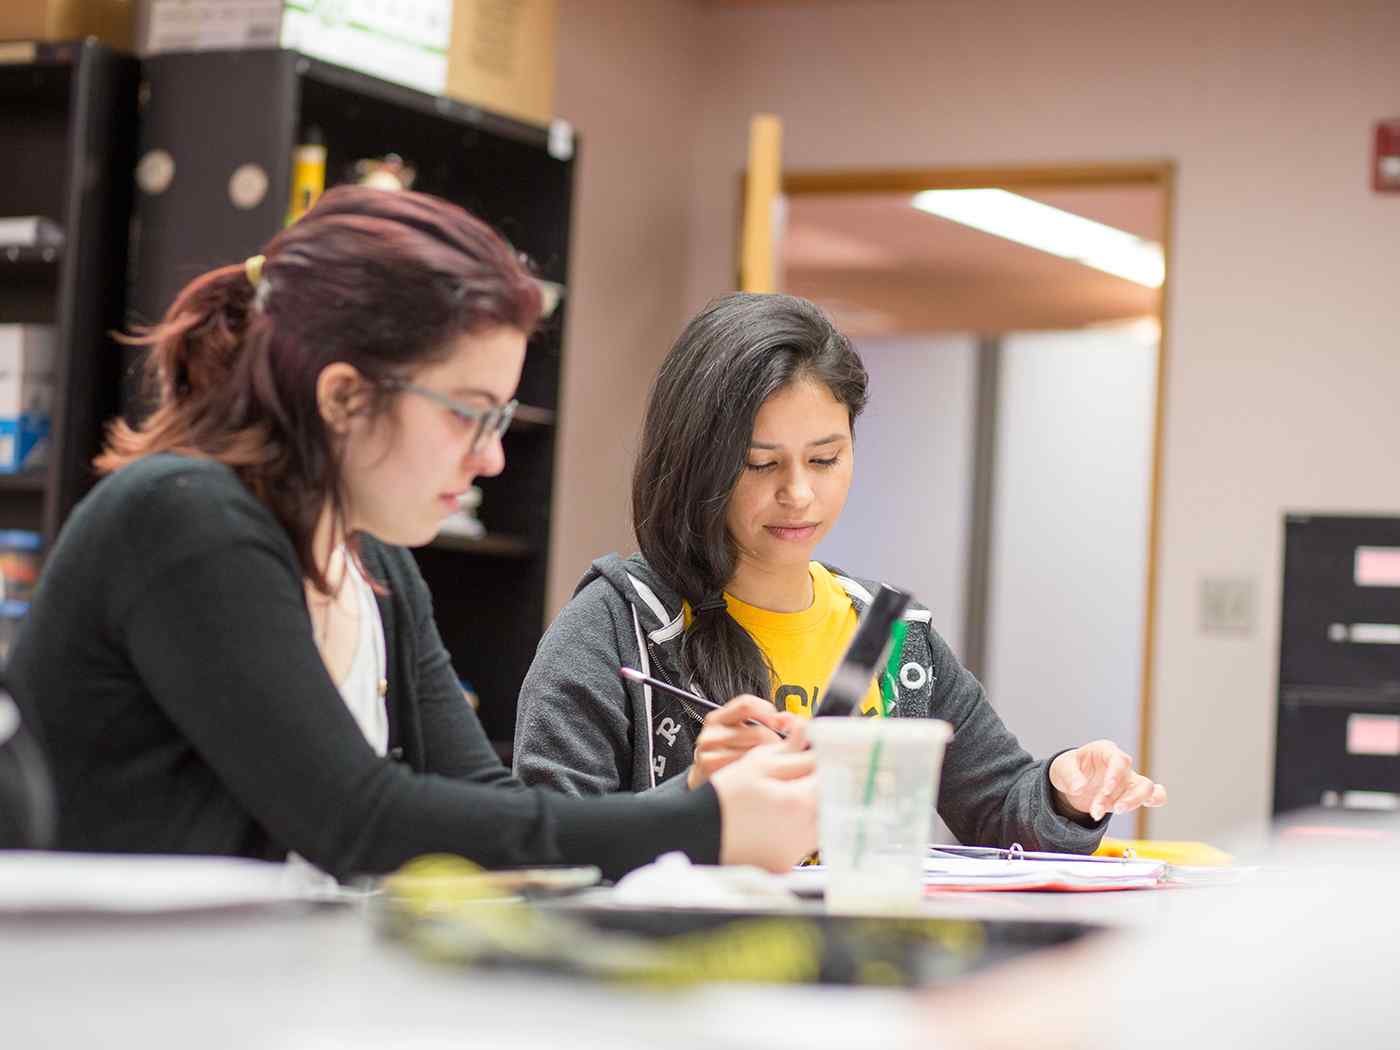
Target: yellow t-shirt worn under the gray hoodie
{"x": 804, "y": 647}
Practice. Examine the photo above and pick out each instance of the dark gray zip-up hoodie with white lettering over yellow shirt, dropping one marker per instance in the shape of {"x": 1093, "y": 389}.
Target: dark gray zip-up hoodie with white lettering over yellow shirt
{"x": 583, "y": 730}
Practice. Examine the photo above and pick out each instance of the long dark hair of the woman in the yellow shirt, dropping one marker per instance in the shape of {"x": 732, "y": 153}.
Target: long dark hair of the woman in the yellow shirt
{"x": 736, "y": 355}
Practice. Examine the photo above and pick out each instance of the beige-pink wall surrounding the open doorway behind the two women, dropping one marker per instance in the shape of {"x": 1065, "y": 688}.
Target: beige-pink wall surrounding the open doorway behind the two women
{"x": 1283, "y": 328}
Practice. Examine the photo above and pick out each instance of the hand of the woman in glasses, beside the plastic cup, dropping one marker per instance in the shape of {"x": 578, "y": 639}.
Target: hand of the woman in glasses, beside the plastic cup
{"x": 768, "y": 804}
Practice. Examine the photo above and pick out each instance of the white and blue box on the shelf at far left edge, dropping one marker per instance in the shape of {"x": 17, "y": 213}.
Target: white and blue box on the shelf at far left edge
{"x": 26, "y": 395}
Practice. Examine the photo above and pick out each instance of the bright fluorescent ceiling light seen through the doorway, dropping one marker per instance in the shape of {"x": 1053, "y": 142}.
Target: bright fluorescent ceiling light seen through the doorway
{"x": 1051, "y": 230}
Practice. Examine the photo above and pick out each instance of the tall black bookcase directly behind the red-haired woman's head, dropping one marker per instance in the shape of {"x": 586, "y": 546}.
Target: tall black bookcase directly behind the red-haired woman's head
{"x": 218, "y": 113}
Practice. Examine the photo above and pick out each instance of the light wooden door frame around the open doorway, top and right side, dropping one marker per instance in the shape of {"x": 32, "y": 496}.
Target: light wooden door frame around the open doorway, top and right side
{"x": 1149, "y": 174}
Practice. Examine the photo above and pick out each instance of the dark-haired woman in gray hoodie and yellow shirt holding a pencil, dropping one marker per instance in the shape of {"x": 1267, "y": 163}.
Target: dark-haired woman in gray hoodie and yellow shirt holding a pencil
{"x": 745, "y": 464}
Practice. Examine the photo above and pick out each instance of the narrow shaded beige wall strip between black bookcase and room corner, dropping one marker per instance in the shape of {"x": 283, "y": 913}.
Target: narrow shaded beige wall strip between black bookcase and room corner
{"x": 632, "y": 93}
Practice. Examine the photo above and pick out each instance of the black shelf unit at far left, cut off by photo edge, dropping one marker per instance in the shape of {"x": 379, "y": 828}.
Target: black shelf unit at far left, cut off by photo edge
{"x": 68, "y": 131}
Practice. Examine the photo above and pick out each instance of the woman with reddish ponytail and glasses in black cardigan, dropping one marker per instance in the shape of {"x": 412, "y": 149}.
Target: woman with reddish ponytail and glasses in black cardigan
{"x": 232, "y": 653}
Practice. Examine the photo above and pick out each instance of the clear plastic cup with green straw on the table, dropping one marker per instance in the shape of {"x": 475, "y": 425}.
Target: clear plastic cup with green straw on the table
{"x": 878, "y": 782}
